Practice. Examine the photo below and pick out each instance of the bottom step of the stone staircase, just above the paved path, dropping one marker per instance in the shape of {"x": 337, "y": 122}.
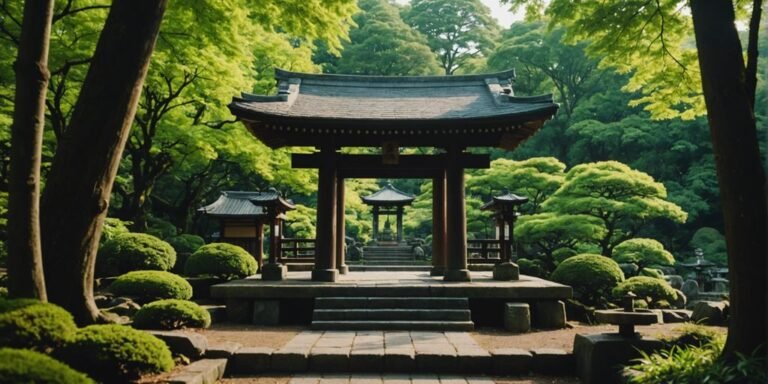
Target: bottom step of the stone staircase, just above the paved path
{"x": 392, "y": 325}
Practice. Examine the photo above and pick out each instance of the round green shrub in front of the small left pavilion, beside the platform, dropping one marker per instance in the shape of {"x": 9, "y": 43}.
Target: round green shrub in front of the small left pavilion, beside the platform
{"x": 222, "y": 260}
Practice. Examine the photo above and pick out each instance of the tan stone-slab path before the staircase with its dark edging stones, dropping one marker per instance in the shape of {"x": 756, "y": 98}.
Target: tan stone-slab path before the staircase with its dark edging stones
{"x": 377, "y": 352}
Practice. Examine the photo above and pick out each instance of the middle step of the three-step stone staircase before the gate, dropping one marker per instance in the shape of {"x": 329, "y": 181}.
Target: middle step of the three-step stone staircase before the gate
{"x": 392, "y": 314}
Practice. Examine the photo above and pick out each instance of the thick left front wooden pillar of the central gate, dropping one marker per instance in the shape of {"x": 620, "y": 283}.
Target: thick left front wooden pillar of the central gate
{"x": 325, "y": 245}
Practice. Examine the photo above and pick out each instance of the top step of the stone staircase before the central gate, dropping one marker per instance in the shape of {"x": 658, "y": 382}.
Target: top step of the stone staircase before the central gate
{"x": 391, "y": 303}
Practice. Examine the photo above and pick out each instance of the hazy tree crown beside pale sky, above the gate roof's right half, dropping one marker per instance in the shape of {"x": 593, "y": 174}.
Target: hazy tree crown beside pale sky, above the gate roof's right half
{"x": 458, "y": 31}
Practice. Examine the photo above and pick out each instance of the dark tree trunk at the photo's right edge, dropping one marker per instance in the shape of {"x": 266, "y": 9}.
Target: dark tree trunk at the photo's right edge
{"x": 739, "y": 170}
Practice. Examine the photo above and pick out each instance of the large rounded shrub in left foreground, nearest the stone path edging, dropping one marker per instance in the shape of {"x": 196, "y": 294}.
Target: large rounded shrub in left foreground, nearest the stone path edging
{"x": 116, "y": 353}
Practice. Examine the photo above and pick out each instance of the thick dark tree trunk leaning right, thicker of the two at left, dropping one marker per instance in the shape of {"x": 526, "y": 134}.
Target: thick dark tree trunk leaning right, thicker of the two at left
{"x": 79, "y": 184}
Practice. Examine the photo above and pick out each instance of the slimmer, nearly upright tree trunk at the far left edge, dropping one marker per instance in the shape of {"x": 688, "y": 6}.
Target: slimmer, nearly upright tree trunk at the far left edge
{"x": 25, "y": 263}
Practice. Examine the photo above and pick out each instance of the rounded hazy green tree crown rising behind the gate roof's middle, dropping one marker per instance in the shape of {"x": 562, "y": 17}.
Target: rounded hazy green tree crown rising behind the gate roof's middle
{"x": 383, "y": 44}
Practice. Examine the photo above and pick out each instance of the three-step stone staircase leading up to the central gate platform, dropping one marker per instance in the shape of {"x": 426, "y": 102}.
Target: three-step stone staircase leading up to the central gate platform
{"x": 392, "y": 313}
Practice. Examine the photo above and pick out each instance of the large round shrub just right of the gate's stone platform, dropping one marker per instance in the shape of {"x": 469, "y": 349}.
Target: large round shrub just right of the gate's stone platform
{"x": 592, "y": 276}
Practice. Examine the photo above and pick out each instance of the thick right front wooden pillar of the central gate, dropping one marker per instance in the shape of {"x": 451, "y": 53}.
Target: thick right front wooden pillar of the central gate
{"x": 456, "y": 269}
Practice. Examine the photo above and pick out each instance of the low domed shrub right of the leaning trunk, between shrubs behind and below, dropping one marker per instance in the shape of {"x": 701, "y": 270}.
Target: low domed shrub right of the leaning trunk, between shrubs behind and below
{"x": 148, "y": 286}
